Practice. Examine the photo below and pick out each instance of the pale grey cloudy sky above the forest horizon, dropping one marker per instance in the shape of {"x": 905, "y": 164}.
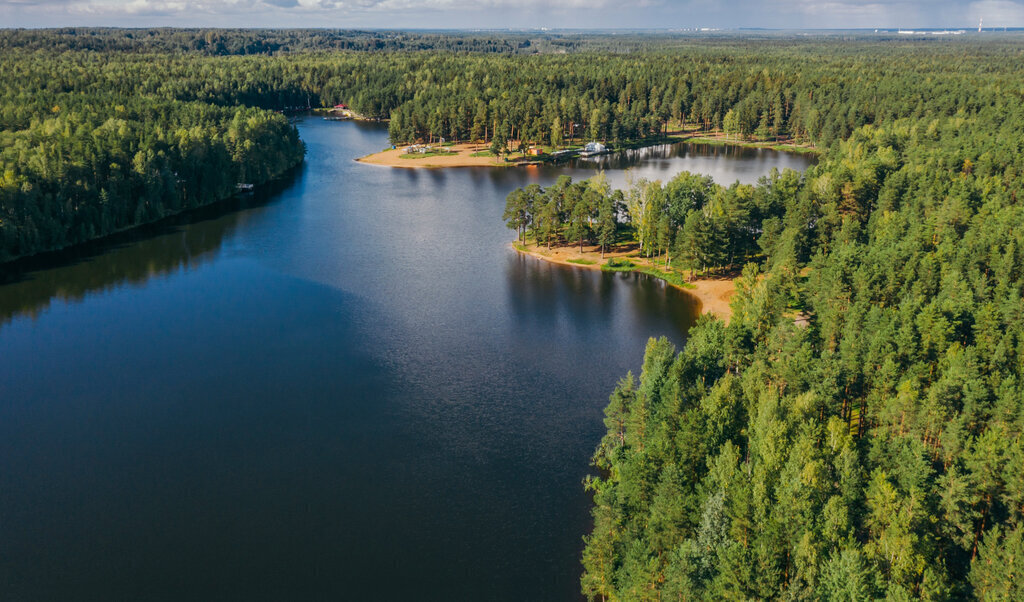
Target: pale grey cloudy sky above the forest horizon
{"x": 515, "y": 14}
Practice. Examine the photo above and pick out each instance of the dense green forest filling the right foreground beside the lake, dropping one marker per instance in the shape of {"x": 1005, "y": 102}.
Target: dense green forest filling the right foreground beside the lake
{"x": 873, "y": 452}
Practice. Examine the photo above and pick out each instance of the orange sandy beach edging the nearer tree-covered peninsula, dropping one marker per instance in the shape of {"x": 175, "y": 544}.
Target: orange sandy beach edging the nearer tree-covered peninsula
{"x": 714, "y": 294}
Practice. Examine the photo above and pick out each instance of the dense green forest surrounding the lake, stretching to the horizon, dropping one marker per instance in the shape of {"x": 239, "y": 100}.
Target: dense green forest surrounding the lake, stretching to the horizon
{"x": 870, "y": 451}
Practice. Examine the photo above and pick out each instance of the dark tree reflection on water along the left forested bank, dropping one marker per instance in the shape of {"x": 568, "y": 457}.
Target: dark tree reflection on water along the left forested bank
{"x": 180, "y": 242}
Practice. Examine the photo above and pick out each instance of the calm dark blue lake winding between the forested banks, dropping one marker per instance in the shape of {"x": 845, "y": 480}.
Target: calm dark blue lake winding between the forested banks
{"x": 349, "y": 388}
